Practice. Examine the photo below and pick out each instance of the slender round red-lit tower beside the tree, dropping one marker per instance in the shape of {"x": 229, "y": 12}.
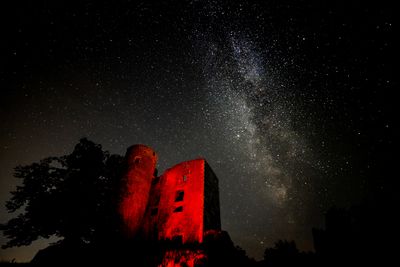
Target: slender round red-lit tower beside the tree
{"x": 141, "y": 163}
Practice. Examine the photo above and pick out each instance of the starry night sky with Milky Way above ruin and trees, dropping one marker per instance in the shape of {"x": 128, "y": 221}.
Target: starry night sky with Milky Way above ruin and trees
{"x": 290, "y": 102}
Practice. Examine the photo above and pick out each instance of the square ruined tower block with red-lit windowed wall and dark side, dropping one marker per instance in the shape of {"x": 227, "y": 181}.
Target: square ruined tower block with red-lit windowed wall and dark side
{"x": 183, "y": 203}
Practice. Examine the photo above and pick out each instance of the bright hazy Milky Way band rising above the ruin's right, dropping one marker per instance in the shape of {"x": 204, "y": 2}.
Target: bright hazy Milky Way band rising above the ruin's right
{"x": 253, "y": 109}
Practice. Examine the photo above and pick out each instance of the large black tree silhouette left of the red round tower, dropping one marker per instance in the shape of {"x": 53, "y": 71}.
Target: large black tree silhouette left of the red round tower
{"x": 72, "y": 197}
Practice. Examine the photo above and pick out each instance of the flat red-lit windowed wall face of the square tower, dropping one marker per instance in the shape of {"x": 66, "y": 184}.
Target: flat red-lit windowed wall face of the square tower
{"x": 182, "y": 202}
